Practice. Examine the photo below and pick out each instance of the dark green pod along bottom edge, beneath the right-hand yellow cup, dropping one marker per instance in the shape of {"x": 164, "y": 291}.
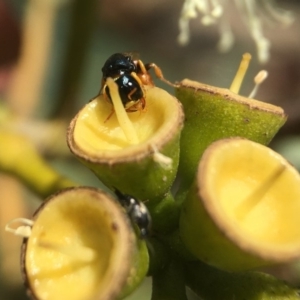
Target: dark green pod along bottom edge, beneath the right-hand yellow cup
{"x": 211, "y": 284}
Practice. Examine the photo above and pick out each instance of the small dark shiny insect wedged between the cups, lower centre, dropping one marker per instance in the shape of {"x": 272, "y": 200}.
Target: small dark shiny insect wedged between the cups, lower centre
{"x": 137, "y": 211}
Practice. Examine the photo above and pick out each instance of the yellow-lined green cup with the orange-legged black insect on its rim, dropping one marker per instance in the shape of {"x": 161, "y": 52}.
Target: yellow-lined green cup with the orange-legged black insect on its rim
{"x": 140, "y": 159}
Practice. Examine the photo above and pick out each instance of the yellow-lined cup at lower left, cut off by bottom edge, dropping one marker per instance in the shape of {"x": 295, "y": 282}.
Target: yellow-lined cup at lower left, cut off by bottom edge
{"x": 82, "y": 246}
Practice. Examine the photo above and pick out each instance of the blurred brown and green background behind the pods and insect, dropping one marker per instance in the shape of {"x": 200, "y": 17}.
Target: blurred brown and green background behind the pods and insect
{"x": 51, "y": 55}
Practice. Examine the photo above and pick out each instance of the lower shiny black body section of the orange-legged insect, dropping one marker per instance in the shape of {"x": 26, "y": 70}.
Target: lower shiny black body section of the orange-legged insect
{"x": 129, "y": 90}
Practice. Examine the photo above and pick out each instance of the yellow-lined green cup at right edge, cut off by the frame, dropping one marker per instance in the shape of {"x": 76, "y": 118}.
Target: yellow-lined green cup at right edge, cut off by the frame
{"x": 243, "y": 209}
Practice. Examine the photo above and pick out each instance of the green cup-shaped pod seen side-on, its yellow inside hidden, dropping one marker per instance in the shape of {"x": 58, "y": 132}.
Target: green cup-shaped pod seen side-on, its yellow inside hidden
{"x": 213, "y": 113}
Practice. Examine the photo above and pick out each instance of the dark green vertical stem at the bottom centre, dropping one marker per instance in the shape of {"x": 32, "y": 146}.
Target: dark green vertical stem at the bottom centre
{"x": 169, "y": 284}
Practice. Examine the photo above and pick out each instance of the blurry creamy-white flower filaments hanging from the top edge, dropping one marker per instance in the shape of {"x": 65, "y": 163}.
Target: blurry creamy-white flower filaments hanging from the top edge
{"x": 252, "y": 12}
